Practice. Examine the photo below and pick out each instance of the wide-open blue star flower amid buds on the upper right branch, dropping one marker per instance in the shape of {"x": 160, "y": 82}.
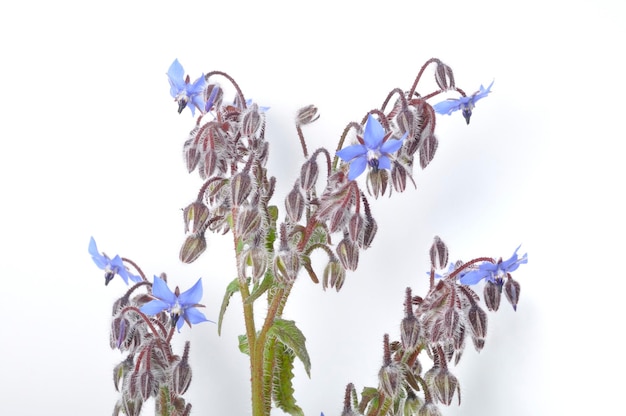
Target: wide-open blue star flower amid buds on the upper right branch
{"x": 374, "y": 151}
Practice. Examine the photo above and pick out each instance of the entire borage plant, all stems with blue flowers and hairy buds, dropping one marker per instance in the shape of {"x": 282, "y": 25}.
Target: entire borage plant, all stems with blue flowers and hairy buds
{"x": 228, "y": 149}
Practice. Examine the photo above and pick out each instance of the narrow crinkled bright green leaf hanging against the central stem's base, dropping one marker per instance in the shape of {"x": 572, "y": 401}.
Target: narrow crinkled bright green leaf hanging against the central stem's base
{"x": 282, "y": 389}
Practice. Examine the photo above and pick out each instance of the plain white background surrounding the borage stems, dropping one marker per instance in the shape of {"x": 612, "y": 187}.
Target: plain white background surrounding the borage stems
{"x": 91, "y": 145}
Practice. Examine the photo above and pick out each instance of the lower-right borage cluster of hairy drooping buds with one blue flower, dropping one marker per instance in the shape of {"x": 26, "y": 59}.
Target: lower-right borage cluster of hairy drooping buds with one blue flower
{"x": 438, "y": 324}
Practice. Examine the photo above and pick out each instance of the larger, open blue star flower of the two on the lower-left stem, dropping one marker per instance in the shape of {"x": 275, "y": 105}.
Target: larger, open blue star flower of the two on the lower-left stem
{"x": 177, "y": 304}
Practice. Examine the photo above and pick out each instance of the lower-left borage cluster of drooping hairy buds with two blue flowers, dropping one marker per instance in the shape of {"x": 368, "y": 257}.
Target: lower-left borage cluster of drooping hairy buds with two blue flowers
{"x": 142, "y": 326}
